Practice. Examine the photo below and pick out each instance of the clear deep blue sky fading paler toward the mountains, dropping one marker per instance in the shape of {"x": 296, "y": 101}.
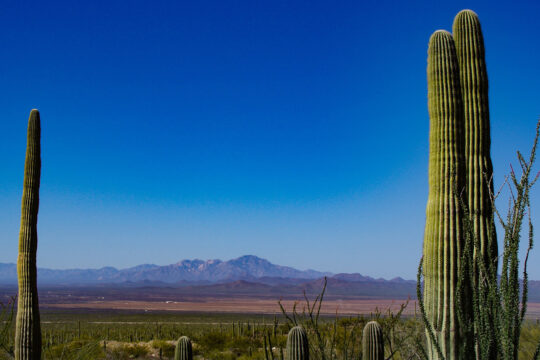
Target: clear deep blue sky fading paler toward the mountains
{"x": 295, "y": 131}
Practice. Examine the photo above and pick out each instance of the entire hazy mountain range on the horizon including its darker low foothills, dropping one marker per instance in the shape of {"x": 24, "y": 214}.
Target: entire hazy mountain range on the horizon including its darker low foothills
{"x": 248, "y": 275}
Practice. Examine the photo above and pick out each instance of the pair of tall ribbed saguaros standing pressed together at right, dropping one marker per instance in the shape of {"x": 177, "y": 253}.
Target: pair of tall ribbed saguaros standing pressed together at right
{"x": 460, "y": 174}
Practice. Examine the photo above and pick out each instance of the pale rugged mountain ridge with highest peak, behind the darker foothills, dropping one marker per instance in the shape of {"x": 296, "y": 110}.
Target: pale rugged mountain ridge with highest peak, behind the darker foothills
{"x": 248, "y": 268}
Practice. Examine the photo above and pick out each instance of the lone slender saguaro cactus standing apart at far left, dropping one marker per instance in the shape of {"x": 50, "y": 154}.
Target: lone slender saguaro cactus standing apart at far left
{"x": 28, "y": 328}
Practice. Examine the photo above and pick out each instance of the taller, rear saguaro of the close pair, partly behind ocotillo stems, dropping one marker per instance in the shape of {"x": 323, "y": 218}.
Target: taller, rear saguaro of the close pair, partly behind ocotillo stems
{"x": 477, "y": 141}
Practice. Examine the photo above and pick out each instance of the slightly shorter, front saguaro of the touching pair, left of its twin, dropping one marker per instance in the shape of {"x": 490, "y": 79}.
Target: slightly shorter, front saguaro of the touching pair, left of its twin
{"x": 443, "y": 236}
